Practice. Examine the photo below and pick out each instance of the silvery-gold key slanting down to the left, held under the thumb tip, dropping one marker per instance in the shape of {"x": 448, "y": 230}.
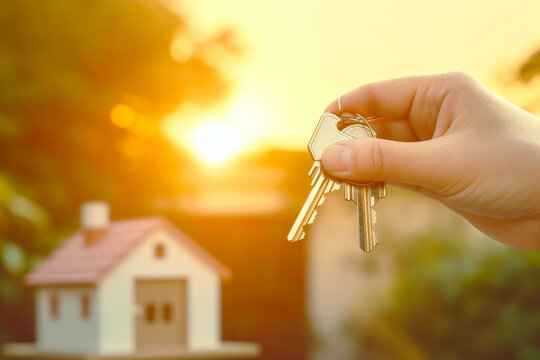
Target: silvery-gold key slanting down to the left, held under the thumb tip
{"x": 325, "y": 133}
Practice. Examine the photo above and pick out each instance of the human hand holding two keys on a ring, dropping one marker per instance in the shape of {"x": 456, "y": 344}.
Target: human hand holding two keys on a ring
{"x": 448, "y": 137}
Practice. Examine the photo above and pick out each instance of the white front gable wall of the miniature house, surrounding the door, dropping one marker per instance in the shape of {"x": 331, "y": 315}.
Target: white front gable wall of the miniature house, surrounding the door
{"x": 117, "y": 294}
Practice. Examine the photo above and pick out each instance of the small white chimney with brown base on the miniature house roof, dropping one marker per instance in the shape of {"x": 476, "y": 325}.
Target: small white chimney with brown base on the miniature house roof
{"x": 94, "y": 220}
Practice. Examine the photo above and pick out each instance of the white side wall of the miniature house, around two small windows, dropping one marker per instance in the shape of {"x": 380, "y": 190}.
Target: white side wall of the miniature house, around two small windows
{"x": 69, "y": 332}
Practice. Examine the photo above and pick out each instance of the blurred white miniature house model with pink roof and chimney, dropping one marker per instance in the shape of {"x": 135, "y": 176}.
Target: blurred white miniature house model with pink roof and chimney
{"x": 124, "y": 286}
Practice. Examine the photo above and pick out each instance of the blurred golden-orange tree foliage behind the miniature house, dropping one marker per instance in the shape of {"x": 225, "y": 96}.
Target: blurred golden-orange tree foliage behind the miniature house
{"x": 83, "y": 86}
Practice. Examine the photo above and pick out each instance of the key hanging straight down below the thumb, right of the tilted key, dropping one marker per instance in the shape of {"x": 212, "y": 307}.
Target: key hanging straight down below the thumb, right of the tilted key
{"x": 365, "y": 196}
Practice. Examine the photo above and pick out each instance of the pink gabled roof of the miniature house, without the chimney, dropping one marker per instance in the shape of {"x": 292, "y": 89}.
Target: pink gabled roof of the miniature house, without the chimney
{"x": 76, "y": 263}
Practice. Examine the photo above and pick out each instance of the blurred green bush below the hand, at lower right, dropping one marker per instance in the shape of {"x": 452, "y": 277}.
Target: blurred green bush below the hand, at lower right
{"x": 456, "y": 302}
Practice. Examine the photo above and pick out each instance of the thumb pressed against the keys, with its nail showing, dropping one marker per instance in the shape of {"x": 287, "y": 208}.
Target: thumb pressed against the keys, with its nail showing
{"x": 378, "y": 159}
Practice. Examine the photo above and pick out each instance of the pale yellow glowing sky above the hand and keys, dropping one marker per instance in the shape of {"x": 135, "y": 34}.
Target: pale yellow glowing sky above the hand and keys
{"x": 304, "y": 53}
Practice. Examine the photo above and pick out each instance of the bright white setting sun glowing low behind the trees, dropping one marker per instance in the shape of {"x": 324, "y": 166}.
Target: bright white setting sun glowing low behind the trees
{"x": 215, "y": 142}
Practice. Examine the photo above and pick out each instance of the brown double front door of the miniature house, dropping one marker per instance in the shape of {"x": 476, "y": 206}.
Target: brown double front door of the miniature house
{"x": 161, "y": 319}
